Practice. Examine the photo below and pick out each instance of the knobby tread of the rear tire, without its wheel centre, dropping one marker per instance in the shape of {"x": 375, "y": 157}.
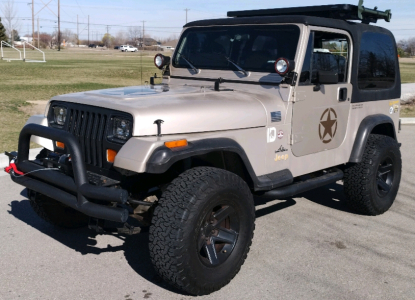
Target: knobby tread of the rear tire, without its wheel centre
{"x": 357, "y": 185}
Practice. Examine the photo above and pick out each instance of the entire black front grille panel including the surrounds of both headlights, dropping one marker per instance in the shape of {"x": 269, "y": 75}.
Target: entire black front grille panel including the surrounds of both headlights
{"x": 91, "y": 126}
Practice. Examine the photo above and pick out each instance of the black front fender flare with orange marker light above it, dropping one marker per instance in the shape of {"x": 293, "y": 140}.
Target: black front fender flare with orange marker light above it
{"x": 163, "y": 158}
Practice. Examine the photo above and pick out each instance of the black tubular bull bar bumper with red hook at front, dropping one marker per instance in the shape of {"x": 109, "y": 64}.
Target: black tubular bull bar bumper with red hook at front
{"x": 73, "y": 192}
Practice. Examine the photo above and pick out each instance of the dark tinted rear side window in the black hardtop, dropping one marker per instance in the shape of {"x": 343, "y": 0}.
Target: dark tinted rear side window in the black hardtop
{"x": 376, "y": 62}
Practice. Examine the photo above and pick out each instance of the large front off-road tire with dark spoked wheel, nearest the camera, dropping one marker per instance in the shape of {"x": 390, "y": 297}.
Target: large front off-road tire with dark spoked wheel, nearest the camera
{"x": 177, "y": 227}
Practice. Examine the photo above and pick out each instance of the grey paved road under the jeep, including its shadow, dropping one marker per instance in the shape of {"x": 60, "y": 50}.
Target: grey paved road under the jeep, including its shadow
{"x": 308, "y": 247}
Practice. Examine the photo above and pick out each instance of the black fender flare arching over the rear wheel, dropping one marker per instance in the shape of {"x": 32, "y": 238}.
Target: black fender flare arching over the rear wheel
{"x": 365, "y": 128}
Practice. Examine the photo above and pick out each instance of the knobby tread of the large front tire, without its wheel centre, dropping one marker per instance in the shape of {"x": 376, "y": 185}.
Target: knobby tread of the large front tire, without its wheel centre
{"x": 169, "y": 219}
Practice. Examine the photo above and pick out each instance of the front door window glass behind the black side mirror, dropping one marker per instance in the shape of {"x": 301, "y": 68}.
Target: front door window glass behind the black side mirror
{"x": 326, "y": 51}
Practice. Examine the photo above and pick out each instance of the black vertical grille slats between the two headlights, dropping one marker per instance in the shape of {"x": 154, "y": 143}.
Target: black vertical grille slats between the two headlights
{"x": 90, "y": 128}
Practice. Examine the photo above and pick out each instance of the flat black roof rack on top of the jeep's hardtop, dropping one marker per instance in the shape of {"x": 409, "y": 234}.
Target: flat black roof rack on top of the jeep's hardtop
{"x": 336, "y": 11}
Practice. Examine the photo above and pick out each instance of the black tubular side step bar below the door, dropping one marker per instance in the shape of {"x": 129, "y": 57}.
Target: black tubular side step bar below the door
{"x": 303, "y": 186}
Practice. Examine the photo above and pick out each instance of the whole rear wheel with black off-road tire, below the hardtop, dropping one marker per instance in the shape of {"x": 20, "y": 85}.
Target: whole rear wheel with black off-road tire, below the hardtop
{"x": 361, "y": 186}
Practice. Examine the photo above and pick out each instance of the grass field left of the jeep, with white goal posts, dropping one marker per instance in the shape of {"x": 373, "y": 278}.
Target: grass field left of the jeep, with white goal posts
{"x": 68, "y": 71}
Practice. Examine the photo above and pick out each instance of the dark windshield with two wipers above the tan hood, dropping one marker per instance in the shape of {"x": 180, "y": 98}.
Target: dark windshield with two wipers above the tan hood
{"x": 252, "y": 48}
